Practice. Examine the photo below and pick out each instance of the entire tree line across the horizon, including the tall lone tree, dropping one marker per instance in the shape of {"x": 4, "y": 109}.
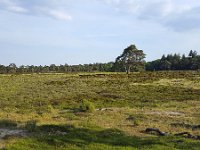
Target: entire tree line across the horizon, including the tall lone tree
{"x": 131, "y": 59}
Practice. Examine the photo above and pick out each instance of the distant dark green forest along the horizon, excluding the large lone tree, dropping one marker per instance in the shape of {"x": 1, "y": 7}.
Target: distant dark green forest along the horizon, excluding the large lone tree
{"x": 168, "y": 62}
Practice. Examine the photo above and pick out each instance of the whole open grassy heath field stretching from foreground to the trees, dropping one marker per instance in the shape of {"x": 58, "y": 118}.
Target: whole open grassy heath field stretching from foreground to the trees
{"x": 45, "y": 109}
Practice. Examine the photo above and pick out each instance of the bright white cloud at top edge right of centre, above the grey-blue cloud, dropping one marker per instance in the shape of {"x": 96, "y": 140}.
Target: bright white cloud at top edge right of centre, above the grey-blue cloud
{"x": 157, "y": 8}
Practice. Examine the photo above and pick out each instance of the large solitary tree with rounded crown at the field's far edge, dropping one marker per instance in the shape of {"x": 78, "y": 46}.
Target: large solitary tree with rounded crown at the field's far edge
{"x": 131, "y": 57}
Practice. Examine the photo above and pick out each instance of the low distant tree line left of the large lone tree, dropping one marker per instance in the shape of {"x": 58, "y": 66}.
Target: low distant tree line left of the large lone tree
{"x": 96, "y": 67}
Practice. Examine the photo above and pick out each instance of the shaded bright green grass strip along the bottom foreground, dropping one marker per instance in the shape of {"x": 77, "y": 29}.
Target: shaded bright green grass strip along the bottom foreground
{"x": 83, "y": 138}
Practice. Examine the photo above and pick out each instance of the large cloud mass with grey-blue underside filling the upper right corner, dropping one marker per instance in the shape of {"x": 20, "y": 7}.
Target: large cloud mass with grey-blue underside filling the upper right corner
{"x": 179, "y": 15}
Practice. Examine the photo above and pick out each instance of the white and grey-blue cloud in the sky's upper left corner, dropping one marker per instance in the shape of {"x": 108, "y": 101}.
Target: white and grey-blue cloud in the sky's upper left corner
{"x": 48, "y": 8}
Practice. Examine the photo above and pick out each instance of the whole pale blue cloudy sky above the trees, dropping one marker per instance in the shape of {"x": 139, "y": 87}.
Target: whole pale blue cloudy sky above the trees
{"x": 44, "y": 32}
